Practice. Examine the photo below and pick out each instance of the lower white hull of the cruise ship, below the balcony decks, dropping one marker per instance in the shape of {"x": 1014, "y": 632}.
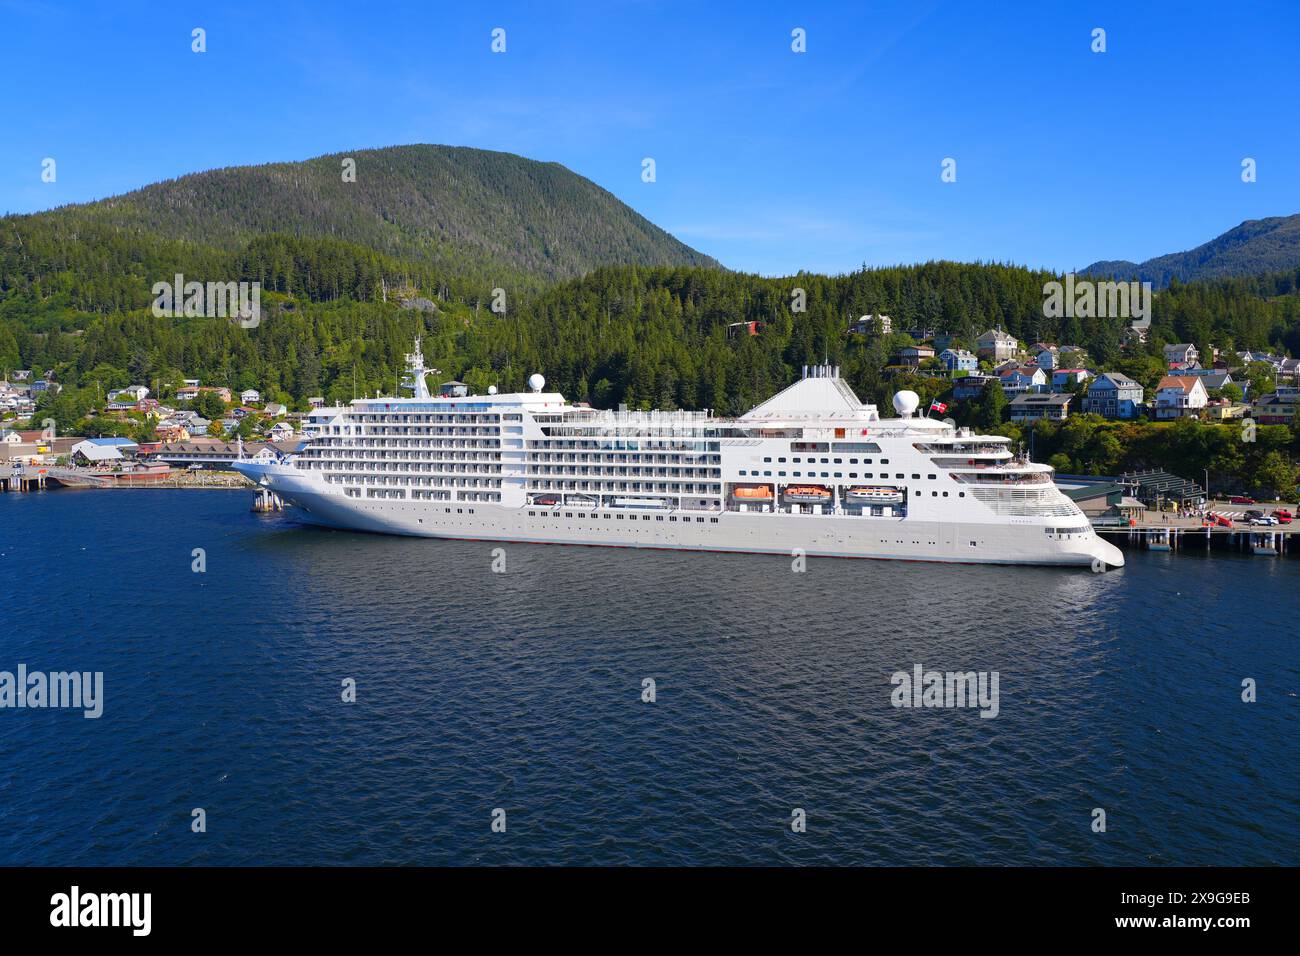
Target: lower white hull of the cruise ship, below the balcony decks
{"x": 831, "y": 535}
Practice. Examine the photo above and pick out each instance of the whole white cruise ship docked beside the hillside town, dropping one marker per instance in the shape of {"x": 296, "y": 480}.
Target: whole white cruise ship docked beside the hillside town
{"x": 811, "y": 471}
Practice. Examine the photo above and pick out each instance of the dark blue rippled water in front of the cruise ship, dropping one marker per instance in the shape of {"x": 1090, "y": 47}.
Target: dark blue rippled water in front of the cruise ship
{"x": 522, "y": 691}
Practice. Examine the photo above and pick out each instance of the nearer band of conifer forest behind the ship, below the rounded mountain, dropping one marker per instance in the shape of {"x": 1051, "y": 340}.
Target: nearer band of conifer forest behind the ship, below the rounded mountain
{"x": 652, "y": 338}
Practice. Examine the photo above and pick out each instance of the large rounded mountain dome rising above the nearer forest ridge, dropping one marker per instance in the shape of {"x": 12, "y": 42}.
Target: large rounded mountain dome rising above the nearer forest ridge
{"x": 456, "y": 209}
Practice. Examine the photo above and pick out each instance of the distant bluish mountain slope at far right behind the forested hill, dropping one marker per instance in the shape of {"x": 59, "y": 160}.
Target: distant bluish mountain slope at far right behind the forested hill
{"x": 1256, "y": 246}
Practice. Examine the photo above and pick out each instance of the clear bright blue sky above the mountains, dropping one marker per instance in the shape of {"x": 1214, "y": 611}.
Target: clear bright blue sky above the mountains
{"x": 772, "y": 162}
